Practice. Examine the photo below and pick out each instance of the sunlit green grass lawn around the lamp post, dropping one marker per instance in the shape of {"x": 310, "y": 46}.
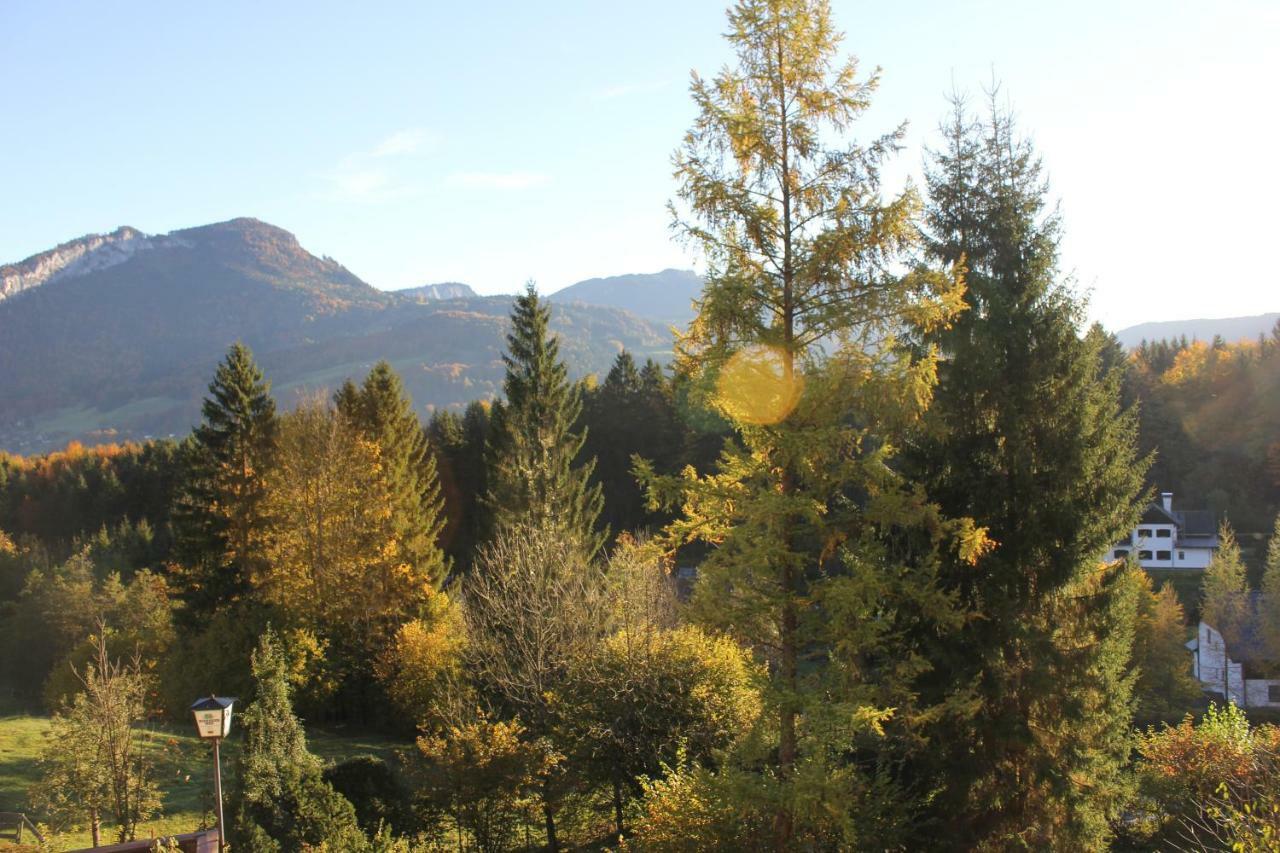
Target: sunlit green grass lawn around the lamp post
{"x": 185, "y": 770}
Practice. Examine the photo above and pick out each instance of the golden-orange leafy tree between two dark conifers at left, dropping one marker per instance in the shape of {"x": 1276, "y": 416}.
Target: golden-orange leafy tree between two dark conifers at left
{"x": 335, "y": 564}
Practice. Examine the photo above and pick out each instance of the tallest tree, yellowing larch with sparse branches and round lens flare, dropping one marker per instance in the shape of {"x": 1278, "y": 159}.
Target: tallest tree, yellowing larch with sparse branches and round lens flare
{"x": 812, "y": 276}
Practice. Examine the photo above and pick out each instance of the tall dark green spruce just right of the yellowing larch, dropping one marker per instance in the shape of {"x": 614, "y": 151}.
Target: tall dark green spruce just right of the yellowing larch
{"x": 1027, "y": 436}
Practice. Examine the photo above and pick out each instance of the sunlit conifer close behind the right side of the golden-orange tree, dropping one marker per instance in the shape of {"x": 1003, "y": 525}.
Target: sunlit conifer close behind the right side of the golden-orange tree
{"x": 383, "y": 414}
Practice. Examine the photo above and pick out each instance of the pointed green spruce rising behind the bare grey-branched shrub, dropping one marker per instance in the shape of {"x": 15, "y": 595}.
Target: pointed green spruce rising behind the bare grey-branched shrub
{"x": 532, "y": 476}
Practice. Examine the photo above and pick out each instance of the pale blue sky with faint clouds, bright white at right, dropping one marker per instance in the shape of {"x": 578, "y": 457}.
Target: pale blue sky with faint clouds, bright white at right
{"x": 499, "y": 143}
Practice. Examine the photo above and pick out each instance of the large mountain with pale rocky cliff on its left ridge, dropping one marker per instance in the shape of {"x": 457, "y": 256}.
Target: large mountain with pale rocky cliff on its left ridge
{"x": 117, "y": 336}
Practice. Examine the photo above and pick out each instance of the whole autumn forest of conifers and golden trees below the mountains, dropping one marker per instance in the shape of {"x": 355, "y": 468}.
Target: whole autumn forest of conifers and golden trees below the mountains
{"x": 834, "y": 578}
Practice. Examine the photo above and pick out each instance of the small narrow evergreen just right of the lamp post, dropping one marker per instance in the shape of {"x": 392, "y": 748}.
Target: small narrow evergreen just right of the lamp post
{"x": 282, "y": 802}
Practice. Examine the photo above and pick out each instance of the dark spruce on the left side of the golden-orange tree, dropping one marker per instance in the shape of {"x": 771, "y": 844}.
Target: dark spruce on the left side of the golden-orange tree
{"x": 218, "y": 513}
